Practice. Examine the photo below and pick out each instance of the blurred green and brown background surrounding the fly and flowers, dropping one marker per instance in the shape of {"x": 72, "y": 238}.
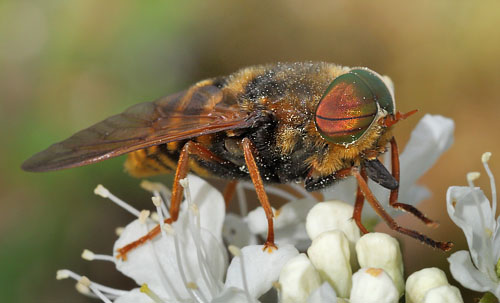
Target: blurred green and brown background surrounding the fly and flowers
{"x": 67, "y": 64}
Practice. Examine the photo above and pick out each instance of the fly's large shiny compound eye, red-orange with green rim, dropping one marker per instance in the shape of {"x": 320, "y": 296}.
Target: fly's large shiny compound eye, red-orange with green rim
{"x": 350, "y": 105}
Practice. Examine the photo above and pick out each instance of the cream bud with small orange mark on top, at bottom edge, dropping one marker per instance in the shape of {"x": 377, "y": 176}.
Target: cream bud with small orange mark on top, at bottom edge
{"x": 373, "y": 285}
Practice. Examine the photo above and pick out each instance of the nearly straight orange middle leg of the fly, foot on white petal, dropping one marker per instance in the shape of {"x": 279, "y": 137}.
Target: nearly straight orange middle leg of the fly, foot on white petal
{"x": 249, "y": 150}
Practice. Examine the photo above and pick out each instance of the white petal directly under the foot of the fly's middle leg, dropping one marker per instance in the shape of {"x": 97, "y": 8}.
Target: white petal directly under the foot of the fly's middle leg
{"x": 262, "y": 268}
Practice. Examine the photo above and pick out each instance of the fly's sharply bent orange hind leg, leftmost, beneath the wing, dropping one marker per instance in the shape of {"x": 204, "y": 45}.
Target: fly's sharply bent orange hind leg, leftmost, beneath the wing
{"x": 189, "y": 148}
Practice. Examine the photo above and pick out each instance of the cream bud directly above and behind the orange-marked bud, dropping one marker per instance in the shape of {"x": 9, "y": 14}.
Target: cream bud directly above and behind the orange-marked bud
{"x": 379, "y": 250}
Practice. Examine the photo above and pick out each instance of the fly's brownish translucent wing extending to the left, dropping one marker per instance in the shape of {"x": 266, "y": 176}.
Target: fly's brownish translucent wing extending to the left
{"x": 202, "y": 109}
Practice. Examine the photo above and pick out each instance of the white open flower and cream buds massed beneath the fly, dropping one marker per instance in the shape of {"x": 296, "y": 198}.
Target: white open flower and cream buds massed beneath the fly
{"x": 188, "y": 261}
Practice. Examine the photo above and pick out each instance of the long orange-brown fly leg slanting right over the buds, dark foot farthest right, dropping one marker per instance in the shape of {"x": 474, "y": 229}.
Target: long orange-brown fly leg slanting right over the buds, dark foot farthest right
{"x": 445, "y": 246}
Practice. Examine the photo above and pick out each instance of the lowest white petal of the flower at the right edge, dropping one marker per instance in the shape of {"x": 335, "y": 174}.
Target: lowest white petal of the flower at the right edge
{"x": 468, "y": 275}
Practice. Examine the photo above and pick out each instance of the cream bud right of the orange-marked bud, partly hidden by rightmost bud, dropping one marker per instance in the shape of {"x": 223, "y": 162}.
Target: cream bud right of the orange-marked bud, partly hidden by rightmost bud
{"x": 420, "y": 282}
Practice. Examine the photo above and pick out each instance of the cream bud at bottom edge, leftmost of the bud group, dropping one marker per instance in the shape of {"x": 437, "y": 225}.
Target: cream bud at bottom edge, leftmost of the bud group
{"x": 298, "y": 279}
